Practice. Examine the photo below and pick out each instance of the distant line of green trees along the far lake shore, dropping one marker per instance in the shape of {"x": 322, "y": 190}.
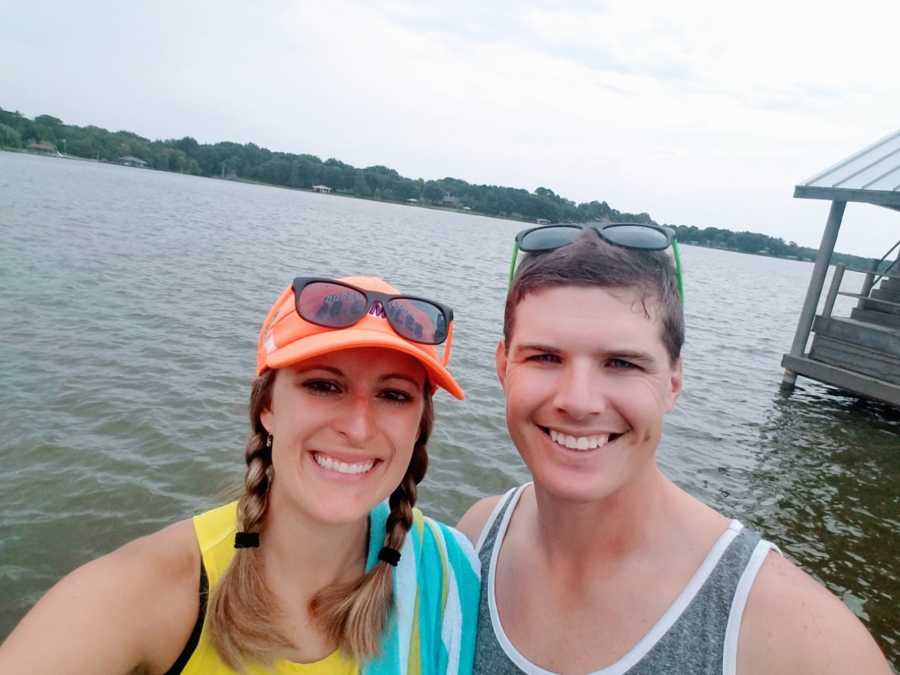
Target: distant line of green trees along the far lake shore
{"x": 46, "y": 133}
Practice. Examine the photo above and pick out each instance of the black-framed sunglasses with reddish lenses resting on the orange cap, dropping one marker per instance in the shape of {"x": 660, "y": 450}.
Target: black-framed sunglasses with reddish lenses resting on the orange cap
{"x": 336, "y": 304}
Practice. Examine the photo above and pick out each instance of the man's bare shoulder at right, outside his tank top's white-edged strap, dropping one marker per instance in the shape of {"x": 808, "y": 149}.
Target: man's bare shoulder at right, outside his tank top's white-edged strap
{"x": 793, "y": 624}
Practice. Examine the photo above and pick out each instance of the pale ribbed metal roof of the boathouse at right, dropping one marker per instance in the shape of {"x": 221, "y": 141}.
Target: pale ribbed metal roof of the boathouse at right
{"x": 871, "y": 175}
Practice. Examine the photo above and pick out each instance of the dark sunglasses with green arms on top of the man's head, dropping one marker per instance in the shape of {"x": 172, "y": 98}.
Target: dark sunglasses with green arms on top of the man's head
{"x": 639, "y": 236}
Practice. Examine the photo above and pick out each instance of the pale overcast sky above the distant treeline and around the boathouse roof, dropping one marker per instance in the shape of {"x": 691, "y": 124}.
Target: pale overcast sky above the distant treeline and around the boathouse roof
{"x": 700, "y": 113}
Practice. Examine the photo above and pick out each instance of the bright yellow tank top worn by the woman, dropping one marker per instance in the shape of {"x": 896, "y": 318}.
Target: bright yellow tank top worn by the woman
{"x": 215, "y": 534}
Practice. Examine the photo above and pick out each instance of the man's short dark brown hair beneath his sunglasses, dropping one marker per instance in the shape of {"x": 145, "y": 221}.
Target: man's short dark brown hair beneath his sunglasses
{"x": 590, "y": 261}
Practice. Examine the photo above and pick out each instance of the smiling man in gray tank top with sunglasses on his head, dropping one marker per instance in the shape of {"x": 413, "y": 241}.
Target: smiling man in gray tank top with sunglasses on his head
{"x": 604, "y": 564}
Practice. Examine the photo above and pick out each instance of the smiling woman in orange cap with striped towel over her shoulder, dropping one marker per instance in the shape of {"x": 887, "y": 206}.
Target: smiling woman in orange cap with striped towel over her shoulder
{"x": 309, "y": 571}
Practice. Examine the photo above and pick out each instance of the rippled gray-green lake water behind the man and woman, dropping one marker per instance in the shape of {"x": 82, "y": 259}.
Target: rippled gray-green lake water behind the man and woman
{"x": 130, "y": 302}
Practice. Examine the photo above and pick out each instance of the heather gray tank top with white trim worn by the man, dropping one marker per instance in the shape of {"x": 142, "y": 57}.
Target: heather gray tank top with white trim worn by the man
{"x": 698, "y": 634}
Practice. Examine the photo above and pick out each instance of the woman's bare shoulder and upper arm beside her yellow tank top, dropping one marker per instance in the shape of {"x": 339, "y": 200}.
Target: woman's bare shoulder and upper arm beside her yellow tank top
{"x": 132, "y": 607}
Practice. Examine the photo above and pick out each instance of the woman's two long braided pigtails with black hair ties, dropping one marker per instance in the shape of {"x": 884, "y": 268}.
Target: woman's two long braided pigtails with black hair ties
{"x": 242, "y": 614}
